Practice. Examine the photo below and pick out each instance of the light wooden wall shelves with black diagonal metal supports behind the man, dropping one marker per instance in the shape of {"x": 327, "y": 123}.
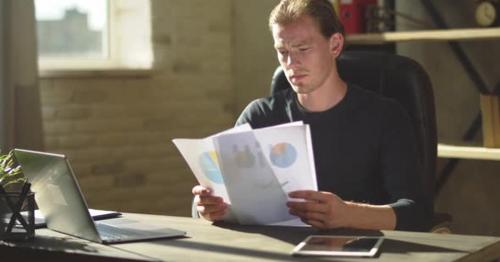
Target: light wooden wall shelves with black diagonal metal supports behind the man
{"x": 452, "y": 152}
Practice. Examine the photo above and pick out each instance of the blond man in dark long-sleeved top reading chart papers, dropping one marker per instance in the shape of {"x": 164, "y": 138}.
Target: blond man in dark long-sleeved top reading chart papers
{"x": 364, "y": 146}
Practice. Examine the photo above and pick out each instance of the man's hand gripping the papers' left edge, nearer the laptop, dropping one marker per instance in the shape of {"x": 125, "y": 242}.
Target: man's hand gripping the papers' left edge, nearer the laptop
{"x": 210, "y": 207}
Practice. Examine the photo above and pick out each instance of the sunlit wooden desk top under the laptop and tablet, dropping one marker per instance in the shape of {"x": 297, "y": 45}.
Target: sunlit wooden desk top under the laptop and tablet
{"x": 206, "y": 242}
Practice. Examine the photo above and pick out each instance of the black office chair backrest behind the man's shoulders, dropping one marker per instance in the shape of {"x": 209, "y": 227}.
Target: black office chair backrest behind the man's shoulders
{"x": 402, "y": 79}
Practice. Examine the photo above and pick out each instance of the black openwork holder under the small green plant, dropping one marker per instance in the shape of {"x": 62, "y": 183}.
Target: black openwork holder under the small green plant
{"x": 17, "y": 215}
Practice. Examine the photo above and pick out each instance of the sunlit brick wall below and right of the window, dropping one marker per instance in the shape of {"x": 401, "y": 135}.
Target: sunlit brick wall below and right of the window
{"x": 117, "y": 131}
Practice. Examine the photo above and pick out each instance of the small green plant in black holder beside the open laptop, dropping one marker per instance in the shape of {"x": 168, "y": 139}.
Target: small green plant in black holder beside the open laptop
{"x": 15, "y": 197}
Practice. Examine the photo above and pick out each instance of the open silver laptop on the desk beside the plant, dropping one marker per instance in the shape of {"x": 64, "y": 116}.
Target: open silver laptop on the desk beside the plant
{"x": 61, "y": 201}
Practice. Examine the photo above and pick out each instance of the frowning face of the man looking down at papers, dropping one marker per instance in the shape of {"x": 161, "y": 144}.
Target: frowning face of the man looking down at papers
{"x": 306, "y": 56}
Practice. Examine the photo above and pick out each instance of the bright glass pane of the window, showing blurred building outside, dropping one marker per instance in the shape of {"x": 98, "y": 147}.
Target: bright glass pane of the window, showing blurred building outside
{"x": 72, "y": 28}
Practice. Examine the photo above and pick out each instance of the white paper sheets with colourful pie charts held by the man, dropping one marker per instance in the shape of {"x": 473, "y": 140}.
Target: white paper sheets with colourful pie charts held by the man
{"x": 254, "y": 169}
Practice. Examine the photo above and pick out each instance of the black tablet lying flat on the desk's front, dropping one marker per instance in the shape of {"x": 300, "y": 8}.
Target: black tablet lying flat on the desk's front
{"x": 328, "y": 245}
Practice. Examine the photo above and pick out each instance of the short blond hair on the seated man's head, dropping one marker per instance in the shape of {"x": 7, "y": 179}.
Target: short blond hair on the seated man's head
{"x": 322, "y": 11}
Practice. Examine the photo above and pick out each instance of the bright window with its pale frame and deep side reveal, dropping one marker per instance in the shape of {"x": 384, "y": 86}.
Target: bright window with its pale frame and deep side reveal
{"x": 93, "y": 34}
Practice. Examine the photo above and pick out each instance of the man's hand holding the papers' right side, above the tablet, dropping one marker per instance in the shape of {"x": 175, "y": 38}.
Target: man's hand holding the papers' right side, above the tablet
{"x": 320, "y": 209}
